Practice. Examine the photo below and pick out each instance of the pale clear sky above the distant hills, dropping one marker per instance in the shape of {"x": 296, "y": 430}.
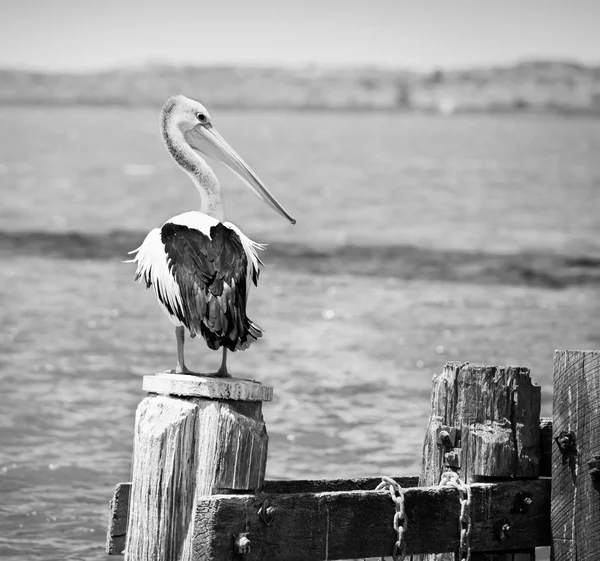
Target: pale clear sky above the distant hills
{"x": 86, "y": 35}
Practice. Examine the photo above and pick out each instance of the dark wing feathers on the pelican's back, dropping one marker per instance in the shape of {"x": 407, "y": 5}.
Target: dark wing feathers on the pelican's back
{"x": 211, "y": 275}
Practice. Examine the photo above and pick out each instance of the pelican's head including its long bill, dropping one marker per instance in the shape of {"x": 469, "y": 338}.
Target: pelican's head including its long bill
{"x": 193, "y": 121}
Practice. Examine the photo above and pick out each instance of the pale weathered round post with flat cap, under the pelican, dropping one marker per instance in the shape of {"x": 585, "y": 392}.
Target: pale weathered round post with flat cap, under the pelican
{"x": 194, "y": 436}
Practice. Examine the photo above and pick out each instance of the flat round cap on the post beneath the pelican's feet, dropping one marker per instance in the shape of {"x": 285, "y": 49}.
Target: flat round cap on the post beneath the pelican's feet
{"x": 186, "y": 385}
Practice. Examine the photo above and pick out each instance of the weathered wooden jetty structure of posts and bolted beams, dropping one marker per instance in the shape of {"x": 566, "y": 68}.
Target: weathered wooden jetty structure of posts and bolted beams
{"x": 198, "y": 490}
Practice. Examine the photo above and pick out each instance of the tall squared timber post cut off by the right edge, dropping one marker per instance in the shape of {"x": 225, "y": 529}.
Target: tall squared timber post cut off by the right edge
{"x": 576, "y": 456}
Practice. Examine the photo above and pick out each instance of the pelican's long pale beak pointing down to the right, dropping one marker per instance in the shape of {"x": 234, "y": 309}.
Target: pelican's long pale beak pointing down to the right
{"x": 206, "y": 139}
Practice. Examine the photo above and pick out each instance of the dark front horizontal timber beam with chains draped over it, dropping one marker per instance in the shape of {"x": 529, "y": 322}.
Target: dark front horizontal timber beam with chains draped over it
{"x": 357, "y": 524}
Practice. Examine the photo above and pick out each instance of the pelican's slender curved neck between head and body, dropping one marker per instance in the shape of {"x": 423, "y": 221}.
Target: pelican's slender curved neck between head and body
{"x": 193, "y": 164}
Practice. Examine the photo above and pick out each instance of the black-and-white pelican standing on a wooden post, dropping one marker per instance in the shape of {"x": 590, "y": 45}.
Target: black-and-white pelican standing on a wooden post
{"x": 200, "y": 267}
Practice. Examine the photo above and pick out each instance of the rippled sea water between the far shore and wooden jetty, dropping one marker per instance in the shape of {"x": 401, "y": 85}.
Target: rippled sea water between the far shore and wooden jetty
{"x": 421, "y": 239}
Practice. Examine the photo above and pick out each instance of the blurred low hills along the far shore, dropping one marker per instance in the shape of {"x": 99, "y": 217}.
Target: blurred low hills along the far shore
{"x": 536, "y": 85}
